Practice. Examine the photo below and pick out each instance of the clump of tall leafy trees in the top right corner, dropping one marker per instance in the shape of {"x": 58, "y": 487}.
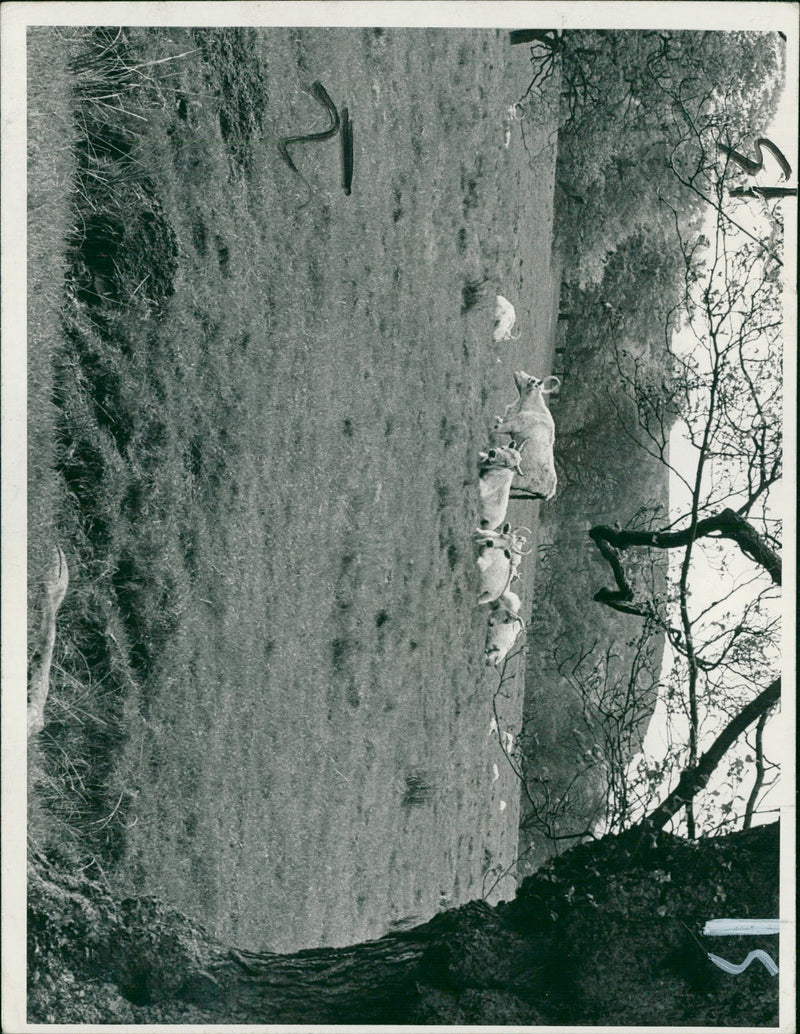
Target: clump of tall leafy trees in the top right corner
{"x": 643, "y": 115}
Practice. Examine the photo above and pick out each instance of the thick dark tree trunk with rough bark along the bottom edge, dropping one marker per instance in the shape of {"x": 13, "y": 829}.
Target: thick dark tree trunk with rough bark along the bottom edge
{"x": 610, "y": 933}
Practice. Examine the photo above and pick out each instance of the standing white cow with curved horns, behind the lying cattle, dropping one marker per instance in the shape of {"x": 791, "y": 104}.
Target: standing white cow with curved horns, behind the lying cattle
{"x": 529, "y": 422}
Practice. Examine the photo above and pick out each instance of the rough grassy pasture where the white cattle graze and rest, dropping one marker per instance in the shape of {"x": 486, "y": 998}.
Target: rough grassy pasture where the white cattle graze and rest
{"x": 269, "y": 705}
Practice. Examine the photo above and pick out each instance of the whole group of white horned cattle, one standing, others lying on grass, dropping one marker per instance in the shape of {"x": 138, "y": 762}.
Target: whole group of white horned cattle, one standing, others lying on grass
{"x": 528, "y": 424}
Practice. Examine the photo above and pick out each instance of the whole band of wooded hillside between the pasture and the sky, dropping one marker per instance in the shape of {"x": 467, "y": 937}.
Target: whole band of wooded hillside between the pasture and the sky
{"x": 642, "y": 116}
